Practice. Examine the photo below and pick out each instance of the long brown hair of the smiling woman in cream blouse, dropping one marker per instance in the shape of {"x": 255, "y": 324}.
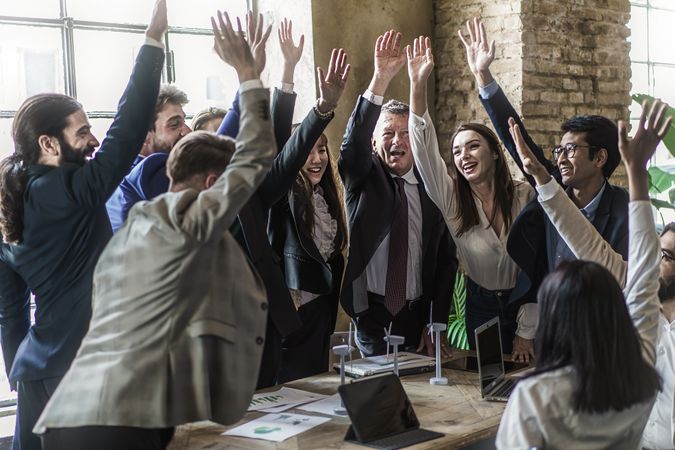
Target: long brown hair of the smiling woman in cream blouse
{"x": 466, "y": 211}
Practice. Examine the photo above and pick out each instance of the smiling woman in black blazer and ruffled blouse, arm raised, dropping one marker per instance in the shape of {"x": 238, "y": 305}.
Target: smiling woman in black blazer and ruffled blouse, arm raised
{"x": 307, "y": 229}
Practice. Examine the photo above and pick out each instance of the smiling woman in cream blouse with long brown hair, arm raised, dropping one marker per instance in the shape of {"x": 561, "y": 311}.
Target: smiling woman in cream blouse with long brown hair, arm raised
{"x": 480, "y": 201}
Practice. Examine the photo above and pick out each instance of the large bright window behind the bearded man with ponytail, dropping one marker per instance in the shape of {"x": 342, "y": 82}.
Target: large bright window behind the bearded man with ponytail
{"x": 86, "y": 48}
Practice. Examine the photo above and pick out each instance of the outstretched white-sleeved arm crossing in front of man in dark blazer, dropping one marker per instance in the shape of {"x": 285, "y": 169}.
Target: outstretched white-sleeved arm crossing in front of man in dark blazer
{"x": 579, "y": 234}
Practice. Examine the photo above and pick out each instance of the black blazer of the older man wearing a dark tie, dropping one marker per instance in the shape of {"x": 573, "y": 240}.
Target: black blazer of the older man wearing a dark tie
{"x": 371, "y": 198}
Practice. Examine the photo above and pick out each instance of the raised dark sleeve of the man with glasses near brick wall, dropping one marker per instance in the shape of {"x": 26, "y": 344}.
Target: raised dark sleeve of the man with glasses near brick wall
{"x": 500, "y": 109}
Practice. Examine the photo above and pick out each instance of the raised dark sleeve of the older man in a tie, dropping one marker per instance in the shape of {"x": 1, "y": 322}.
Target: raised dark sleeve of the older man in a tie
{"x": 355, "y": 160}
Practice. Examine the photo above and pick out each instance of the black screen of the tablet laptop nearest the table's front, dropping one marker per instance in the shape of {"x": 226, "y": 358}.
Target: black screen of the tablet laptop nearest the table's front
{"x": 378, "y": 407}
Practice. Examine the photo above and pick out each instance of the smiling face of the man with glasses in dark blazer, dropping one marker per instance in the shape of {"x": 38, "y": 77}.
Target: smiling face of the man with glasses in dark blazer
{"x": 580, "y": 170}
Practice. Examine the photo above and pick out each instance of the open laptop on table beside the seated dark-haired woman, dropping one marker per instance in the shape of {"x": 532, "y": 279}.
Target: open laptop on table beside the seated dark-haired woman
{"x": 494, "y": 386}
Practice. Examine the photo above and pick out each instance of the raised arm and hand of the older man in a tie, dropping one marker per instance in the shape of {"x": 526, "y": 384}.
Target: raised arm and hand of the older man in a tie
{"x": 356, "y": 149}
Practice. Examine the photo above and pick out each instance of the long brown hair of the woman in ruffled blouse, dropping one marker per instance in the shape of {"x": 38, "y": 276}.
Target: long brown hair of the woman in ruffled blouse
{"x": 303, "y": 190}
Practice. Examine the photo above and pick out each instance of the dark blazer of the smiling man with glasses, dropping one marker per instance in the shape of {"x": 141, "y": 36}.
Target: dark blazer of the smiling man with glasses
{"x": 527, "y": 243}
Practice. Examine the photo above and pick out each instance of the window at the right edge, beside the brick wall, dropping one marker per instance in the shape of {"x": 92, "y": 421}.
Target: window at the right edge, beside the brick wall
{"x": 652, "y": 57}
